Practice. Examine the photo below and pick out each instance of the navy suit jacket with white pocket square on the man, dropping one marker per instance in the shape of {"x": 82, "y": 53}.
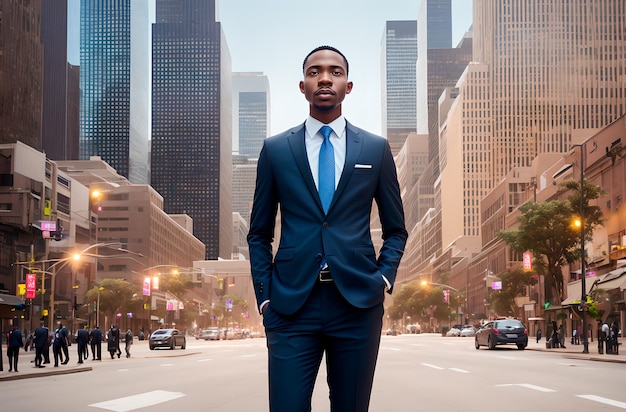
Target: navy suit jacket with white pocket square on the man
{"x": 307, "y": 234}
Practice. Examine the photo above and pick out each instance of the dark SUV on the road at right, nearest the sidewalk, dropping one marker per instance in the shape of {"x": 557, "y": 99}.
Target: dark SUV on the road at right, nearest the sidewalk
{"x": 501, "y": 332}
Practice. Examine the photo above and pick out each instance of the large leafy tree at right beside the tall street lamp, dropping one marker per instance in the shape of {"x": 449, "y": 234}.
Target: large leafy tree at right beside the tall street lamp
{"x": 547, "y": 230}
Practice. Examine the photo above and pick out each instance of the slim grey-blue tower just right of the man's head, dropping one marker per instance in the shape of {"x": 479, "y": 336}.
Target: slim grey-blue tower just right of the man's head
{"x": 399, "y": 55}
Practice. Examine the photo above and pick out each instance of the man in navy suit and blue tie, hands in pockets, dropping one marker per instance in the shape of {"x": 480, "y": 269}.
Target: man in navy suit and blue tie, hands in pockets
{"x": 323, "y": 291}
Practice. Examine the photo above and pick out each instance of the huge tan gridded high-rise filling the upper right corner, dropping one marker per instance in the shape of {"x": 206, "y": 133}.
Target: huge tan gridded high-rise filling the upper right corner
{"x": 556, "y": 71}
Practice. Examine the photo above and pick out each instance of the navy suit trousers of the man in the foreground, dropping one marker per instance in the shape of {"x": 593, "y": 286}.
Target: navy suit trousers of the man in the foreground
{"x": 327, "y": 325}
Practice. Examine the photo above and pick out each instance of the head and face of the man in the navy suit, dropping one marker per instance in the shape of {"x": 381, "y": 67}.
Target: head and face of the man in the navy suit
{"x": 325, "y": 83}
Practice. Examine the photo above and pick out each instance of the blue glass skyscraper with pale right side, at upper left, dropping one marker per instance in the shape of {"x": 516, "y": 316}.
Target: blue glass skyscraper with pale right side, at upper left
{"x": 115, "y": 84}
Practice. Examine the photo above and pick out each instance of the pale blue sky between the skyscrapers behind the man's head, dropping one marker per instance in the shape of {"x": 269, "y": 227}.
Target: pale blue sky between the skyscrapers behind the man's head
{"x": 274, "y": 36}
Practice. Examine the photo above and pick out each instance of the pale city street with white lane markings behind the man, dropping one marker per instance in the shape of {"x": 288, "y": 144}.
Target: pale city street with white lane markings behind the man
{"x": 415, "y": 372}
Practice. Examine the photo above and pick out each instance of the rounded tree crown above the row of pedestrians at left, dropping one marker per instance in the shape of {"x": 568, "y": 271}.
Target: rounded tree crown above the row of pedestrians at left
{"x": 116, "y": 296}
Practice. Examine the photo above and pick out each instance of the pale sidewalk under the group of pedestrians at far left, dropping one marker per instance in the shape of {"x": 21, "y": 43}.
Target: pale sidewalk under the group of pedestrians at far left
{"x": 28, "y": 369}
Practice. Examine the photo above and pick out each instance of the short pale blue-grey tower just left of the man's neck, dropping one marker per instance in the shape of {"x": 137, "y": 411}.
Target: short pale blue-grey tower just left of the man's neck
{"x": 251, "y": 112}
